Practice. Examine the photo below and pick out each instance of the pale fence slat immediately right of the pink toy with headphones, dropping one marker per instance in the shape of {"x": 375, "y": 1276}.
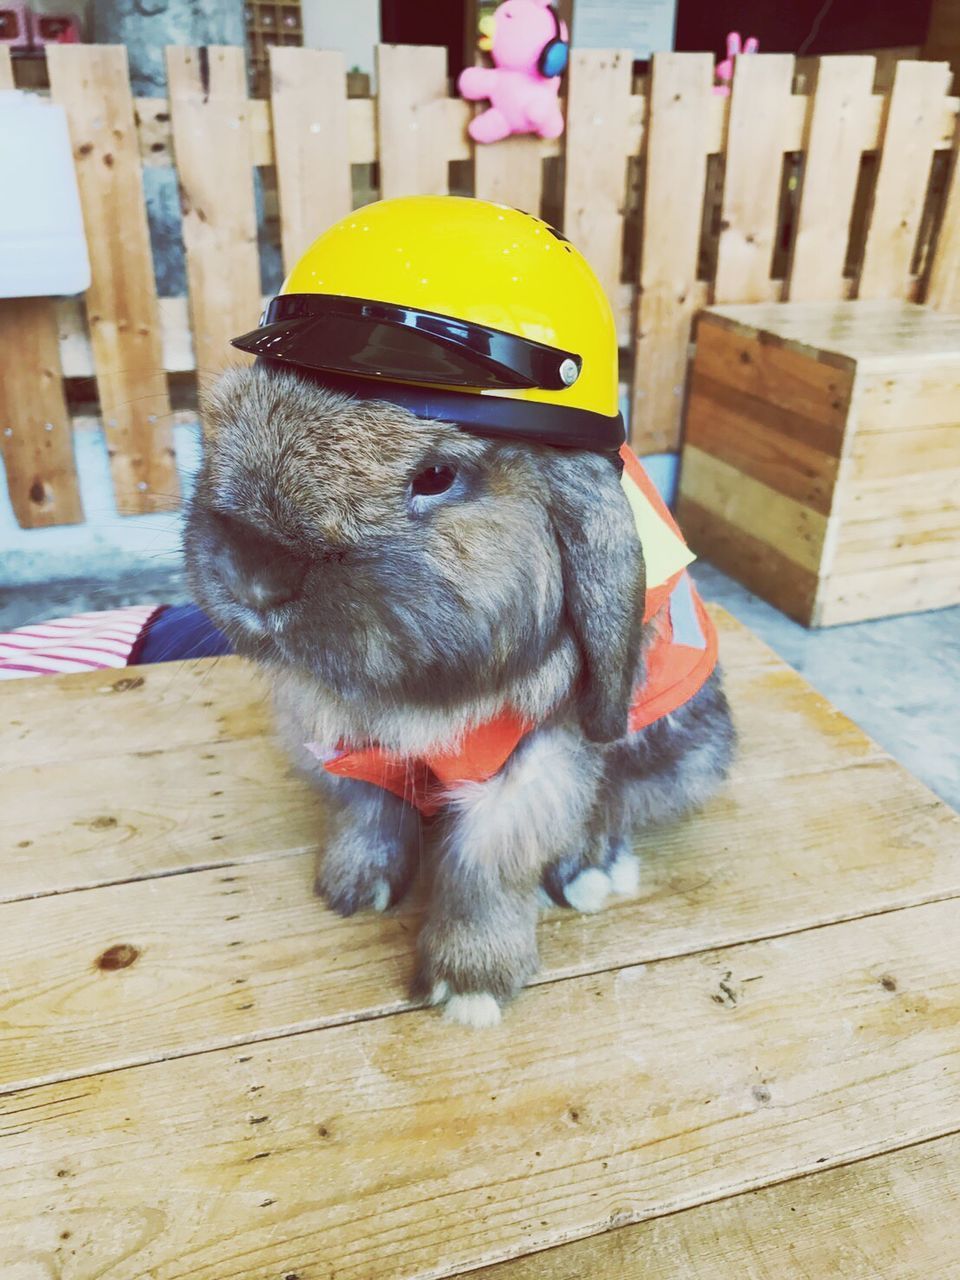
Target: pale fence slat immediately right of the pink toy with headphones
{"x": 596, "y": 167}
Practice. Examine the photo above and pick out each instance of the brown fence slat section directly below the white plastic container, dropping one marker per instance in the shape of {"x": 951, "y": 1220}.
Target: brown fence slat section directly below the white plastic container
{"x": 36, "y": 437}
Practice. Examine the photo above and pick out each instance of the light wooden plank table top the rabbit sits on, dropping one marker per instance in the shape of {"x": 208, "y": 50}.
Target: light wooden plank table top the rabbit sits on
{"x": 752, "y": 1069}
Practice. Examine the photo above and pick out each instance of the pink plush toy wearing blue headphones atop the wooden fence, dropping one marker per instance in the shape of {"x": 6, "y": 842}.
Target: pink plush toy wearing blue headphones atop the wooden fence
{"x": 529, "y": 47}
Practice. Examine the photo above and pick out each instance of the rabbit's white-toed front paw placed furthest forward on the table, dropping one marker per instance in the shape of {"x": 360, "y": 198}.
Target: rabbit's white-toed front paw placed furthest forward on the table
{"x": 472, "y": 968}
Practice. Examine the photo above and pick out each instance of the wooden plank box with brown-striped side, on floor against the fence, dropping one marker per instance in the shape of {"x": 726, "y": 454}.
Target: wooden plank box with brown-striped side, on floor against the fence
{"x": 822, "y": 456}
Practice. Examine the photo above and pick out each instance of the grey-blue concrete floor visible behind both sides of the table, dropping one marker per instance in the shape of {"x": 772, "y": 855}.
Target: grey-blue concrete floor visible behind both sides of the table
{"x": 899, "y": 679}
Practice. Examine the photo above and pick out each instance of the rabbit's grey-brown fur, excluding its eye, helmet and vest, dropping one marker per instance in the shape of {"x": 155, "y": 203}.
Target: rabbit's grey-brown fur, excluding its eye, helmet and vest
{"x": 385, "y": 616}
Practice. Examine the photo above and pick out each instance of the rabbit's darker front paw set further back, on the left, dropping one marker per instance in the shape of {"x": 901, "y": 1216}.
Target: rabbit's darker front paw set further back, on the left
{"x": 360, "y": 871}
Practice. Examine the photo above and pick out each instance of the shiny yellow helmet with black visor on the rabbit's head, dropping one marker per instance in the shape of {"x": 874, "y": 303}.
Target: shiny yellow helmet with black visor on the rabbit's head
{"x": 456, "y": 309}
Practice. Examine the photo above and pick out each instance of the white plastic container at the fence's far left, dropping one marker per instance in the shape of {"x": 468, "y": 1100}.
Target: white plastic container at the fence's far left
{"x": 43, "y": 246}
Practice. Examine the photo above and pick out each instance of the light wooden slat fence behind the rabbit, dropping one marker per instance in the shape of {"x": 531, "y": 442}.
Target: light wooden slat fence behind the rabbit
{"x": 835, "y": 184}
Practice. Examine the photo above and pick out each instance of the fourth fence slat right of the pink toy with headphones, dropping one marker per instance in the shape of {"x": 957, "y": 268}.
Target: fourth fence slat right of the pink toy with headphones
{"x": 834, "y": 144}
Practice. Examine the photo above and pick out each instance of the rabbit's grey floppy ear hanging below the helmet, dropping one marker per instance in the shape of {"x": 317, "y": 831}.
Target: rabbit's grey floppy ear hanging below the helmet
{"x": 604, "y": 586}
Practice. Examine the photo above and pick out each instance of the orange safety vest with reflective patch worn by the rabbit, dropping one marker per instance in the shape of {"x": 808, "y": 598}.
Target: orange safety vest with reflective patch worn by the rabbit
{"x": 679, "y": 661}
